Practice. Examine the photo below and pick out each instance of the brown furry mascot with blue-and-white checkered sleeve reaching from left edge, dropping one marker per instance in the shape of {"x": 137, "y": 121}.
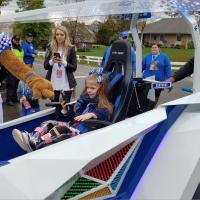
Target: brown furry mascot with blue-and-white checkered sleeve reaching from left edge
{"x": 41, "y": 88}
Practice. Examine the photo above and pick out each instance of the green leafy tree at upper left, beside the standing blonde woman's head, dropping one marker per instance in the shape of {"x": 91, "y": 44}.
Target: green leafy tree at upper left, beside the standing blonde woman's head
{"x": 41, "y": 31}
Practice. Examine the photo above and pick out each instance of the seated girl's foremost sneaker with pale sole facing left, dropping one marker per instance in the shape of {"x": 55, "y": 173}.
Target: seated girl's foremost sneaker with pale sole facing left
{"x": 22, "y": 139}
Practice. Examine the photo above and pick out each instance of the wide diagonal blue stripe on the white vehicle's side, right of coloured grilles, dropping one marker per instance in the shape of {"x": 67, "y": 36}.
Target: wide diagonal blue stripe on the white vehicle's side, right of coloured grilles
{"x": 145, "y": 153}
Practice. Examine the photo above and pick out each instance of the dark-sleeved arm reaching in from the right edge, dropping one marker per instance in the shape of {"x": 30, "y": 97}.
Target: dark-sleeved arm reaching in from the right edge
{"x": 184, "y": 71}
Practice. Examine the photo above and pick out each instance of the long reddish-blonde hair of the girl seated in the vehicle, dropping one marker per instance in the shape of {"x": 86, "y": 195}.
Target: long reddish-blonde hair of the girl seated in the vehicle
{"x": 103, "y": 92}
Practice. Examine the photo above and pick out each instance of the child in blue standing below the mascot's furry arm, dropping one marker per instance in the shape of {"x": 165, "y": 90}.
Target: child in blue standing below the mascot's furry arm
{"x": 30, "y": 105}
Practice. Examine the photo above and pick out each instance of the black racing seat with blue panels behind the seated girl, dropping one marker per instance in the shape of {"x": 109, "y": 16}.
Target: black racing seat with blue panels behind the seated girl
{"x": 120, "y": 71}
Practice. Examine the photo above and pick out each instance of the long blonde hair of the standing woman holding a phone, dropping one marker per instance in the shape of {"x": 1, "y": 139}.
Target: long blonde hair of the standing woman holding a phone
{"x": 54, "y": 44}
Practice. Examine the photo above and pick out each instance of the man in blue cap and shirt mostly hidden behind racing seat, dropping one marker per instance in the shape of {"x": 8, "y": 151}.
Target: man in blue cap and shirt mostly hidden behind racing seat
{"x": 122, "y": 36}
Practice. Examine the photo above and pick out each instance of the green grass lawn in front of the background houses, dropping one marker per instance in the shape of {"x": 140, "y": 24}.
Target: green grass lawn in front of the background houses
{"x": 175, "y": 55}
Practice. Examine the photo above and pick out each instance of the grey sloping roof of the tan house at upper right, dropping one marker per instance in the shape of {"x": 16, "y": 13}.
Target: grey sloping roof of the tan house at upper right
{"x": 169, "y": 26}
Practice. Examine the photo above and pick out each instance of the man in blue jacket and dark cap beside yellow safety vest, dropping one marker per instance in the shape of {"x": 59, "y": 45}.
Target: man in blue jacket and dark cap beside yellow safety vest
{"x": 29, "y": 50}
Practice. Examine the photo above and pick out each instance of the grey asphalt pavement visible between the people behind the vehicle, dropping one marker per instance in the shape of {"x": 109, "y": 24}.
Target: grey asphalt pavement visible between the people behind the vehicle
{"x": 13, "y": 112}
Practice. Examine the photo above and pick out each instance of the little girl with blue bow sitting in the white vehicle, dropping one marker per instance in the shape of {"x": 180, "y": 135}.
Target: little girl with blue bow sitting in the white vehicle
{"x": 93, "y": 104}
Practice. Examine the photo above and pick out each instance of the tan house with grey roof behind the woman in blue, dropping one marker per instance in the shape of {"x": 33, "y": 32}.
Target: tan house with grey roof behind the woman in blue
{"x": 172, "y": 32}
